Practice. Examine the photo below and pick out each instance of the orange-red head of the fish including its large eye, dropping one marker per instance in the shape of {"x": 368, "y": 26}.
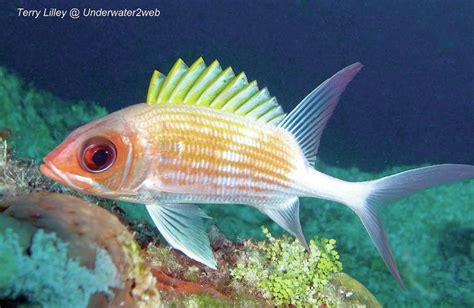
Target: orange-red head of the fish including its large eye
{"x": 96, "y": 158}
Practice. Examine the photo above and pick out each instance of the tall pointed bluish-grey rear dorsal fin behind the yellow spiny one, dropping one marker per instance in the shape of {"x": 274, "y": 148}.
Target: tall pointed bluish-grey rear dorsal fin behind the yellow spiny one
{"x": 307, "y": 121}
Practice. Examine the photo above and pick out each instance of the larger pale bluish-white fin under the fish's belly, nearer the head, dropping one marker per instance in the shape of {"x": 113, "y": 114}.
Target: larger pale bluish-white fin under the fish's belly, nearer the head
{"x": 182, "y": 226}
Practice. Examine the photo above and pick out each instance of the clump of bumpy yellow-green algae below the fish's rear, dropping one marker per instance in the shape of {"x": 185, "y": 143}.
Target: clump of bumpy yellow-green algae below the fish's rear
{"x": 282, "y": 271}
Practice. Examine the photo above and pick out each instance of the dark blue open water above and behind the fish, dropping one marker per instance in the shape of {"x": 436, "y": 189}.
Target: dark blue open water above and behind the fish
{"x": 412, "y": 103}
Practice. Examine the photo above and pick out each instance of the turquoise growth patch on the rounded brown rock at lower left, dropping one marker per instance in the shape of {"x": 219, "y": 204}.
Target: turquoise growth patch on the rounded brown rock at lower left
{"x": 46, "y": 276}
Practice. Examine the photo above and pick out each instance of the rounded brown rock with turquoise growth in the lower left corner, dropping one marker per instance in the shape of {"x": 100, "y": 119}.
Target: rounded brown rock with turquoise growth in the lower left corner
{"x": 59, "y": 251}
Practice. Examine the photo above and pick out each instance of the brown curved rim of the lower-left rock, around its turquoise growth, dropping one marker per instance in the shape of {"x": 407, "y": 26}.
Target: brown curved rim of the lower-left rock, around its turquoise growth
{"x": 85, "y": 228}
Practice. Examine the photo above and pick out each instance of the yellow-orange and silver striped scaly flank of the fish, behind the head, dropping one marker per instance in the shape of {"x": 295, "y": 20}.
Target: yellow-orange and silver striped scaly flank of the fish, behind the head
{"x": 236, "y": 163}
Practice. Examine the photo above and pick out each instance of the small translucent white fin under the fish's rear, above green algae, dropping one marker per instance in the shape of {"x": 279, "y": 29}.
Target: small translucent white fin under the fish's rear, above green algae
{"x": 286, "y": 214}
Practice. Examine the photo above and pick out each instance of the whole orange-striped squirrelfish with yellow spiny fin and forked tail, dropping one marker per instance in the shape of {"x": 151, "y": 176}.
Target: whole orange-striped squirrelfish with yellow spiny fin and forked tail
{"x": 208, "y": 135}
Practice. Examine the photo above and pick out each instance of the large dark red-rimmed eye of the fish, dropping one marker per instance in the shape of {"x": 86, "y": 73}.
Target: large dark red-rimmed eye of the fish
{"x": 98, "y": 155}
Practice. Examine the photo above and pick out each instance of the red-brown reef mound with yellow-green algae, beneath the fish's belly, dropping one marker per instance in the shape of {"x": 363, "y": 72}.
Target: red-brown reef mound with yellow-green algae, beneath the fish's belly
{"x": 277, "y": 271}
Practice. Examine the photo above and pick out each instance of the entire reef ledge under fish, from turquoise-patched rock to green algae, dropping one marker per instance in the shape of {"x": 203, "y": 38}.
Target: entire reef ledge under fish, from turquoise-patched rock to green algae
{"x": 58, "y": 250}
